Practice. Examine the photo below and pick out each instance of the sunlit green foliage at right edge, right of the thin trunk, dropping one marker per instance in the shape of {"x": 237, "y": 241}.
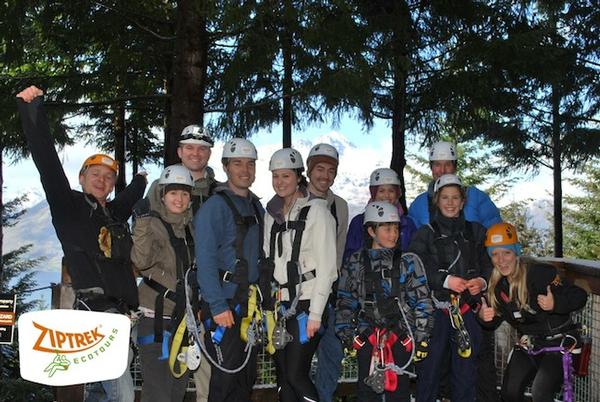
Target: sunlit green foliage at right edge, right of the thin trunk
{"x": 582, "y": 216}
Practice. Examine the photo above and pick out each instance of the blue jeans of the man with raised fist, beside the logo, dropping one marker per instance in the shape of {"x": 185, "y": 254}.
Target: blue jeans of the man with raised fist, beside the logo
{"x": 117, "y": 390}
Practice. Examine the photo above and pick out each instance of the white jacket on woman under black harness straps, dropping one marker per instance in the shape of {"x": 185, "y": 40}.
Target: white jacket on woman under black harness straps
{"x": 317, "y": 252}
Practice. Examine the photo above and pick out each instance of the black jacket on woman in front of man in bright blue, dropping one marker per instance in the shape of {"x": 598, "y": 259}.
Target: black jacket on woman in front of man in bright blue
{"x": 451, "y": 246}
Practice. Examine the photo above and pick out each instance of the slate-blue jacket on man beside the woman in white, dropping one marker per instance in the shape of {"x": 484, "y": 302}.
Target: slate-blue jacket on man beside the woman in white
{"x": 216, "y": 231}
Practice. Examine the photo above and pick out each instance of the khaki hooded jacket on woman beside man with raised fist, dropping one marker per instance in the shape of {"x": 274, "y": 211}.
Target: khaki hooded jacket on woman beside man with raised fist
{"x": 152, "y": 253}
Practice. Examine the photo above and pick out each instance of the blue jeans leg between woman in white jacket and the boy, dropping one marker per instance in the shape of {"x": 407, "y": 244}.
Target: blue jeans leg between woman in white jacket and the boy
{"x": 329, "y": 366}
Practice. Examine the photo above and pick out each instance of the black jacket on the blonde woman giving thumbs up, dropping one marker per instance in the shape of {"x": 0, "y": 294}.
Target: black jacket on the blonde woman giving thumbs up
{"x": 532, "y": 320}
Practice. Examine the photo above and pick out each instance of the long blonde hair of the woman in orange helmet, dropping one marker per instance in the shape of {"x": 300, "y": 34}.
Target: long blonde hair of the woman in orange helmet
{"x": 517, "y": 280}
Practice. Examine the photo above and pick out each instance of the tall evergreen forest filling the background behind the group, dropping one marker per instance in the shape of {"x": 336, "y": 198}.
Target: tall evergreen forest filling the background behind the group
{"x": 516, "y": 84}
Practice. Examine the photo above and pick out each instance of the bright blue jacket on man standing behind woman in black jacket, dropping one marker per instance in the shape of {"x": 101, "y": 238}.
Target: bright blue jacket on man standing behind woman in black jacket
{"x": 478, "y": 208}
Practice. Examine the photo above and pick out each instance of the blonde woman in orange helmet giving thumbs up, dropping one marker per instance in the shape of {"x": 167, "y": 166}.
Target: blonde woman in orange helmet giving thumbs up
{"x": 532, "y": 297}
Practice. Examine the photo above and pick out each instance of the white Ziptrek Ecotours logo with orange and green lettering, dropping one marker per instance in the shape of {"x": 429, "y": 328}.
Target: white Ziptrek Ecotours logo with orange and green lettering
{"x": 67, "y": 347}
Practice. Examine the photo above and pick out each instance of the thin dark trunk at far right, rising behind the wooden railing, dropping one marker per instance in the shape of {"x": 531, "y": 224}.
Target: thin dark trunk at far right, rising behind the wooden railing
{"x": 557, "y": 172}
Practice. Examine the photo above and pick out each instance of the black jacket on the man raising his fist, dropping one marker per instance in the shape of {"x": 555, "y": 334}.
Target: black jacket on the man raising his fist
{"x": 79, "y": 219}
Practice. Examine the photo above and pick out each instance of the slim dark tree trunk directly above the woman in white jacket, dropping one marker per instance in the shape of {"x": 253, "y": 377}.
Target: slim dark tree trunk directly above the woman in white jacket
{"x": 286, "y": 49}
